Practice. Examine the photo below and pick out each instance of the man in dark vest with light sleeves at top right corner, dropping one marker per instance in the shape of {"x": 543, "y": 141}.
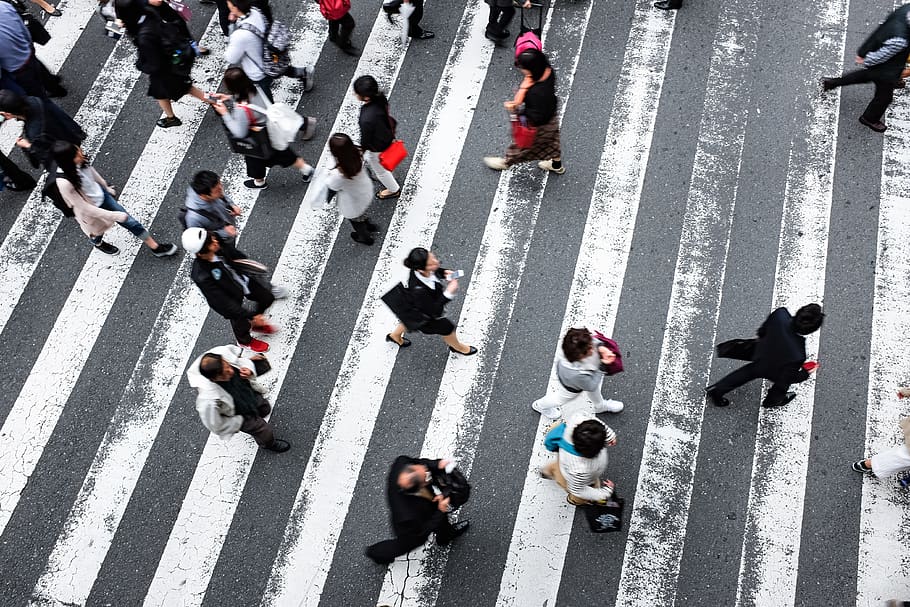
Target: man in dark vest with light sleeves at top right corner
{"x": 883, "y": 56}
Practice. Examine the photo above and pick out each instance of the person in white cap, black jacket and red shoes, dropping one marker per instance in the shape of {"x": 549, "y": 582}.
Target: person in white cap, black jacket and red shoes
{"x": 233, "y": 286}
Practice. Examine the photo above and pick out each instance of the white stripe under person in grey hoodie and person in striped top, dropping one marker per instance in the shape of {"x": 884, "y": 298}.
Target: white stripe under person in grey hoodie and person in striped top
{"x": 543, "y": 522}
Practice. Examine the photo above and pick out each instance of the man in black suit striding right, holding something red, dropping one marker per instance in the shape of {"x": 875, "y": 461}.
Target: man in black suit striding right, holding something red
{"x": 779, "y": 356}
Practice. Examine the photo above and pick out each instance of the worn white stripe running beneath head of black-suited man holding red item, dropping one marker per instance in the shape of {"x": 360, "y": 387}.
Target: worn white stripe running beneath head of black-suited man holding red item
{"x": 771, "y": 542}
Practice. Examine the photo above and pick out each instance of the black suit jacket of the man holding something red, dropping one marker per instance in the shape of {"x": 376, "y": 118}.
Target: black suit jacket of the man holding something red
{"x": 780, "y": 351}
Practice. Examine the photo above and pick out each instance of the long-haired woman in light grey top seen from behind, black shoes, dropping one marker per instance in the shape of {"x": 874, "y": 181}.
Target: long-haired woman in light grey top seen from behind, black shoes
{"x": 350, "y": 182}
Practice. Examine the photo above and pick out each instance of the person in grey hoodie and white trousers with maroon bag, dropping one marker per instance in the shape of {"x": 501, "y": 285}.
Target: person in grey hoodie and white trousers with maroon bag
{"x": 580, "y": 368}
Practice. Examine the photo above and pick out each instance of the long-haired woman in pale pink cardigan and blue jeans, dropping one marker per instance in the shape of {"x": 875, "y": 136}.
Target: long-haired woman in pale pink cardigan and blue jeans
{"x": 93, "y": 203}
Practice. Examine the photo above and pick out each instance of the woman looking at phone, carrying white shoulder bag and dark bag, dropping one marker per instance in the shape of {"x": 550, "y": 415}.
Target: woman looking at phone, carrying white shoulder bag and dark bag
{"x": 245, "y": 116}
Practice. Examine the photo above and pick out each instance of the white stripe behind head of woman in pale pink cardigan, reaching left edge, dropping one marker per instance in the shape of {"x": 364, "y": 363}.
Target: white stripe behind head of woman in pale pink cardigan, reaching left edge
{"x": 30, "y": 234}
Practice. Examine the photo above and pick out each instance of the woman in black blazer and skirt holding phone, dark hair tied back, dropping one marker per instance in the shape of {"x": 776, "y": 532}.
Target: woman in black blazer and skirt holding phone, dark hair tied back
{"x": 430, "y": 289}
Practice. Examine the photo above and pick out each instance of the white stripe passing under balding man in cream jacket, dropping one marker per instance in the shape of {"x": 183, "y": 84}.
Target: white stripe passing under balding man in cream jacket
{"x": 193, "y": 547}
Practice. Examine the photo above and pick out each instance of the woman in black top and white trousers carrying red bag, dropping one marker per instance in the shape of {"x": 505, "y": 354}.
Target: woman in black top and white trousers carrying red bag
{"x": 377, "y": 132}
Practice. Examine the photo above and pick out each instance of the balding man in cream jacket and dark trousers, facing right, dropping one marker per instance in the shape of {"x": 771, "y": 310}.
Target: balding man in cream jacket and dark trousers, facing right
{"x": 229, "y": 400}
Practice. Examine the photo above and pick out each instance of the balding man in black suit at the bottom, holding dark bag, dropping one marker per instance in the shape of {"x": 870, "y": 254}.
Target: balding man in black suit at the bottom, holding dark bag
{"x": 417, "y": 510}
